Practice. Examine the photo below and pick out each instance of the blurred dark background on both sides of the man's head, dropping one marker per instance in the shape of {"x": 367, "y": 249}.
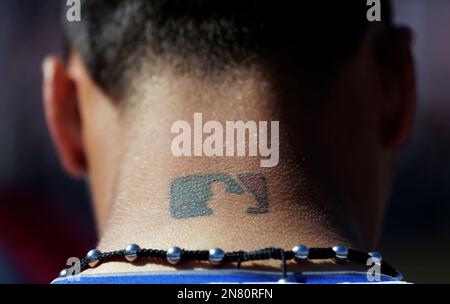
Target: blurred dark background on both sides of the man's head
{"x": 45, "y": 217}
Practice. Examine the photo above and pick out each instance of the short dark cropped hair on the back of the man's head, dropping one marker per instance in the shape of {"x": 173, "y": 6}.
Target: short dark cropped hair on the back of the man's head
{"x": 114, "y": 36}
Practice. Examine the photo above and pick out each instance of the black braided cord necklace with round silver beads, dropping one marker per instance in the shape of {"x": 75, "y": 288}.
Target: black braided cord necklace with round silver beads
{"x": 217, "y": 256}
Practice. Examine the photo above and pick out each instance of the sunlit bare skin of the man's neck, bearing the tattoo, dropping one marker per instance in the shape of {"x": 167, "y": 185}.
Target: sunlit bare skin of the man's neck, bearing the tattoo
{"x": 143, "y": 207}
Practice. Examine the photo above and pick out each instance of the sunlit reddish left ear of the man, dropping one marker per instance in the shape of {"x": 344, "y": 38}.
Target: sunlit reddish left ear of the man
{"x": 63, "y": 116}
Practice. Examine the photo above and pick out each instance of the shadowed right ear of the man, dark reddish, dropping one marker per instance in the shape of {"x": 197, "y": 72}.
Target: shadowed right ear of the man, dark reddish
{"x": 399, "y": 86}
